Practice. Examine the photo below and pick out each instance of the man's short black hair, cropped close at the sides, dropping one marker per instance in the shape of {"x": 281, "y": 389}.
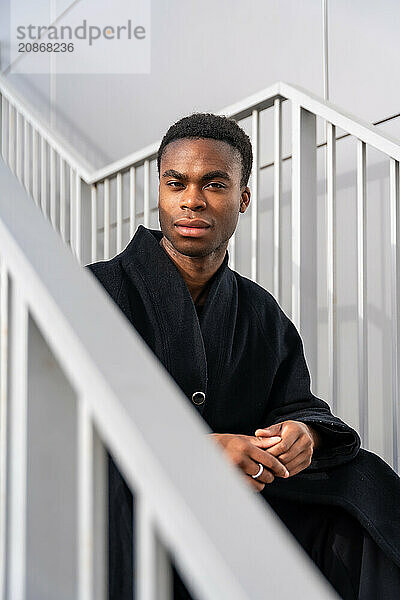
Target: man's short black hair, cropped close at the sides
{"x": 216, "y": 127}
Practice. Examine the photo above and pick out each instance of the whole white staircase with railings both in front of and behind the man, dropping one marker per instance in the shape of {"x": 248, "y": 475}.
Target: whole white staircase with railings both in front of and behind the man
{"x": 51, "y": 346}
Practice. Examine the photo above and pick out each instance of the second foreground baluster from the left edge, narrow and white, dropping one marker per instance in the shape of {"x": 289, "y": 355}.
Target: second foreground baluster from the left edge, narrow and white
{"x": 17, "y": 500}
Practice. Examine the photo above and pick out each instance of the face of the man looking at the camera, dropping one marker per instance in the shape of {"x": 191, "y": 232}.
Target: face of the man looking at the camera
{"x": 200, "y": 179}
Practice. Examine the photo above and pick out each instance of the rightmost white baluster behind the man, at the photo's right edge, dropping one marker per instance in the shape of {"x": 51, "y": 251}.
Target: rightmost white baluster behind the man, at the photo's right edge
{"x": 395, "y": 288}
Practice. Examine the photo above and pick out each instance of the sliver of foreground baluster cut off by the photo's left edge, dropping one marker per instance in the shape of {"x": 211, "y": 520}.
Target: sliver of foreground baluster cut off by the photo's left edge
{"x": 3, "y": 421}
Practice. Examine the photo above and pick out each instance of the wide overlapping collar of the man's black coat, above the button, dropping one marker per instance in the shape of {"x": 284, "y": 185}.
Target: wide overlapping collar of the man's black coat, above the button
{"x": 192, "y": 349}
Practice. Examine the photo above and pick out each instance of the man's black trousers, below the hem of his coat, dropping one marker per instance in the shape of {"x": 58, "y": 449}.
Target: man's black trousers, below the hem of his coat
{"x": 341, "y": 548}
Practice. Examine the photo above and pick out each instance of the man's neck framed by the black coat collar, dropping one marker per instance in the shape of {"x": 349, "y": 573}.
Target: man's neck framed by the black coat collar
{"x": 196, "y": 271}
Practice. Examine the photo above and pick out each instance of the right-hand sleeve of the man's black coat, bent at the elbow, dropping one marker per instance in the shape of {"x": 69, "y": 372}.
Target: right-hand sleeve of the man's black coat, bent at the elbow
{"x": 291, "y": 399}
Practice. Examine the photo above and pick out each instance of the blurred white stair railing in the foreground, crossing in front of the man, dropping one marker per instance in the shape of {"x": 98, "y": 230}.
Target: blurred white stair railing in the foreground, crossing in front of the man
{"x": 68, "y": 391}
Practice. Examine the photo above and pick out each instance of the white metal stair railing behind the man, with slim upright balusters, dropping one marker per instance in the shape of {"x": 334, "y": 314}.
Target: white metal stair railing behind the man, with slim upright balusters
{"x": 106, "y": 205}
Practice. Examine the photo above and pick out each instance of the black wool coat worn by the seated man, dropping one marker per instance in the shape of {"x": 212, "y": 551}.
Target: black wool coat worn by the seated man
{"x": 244, "y": 353}
